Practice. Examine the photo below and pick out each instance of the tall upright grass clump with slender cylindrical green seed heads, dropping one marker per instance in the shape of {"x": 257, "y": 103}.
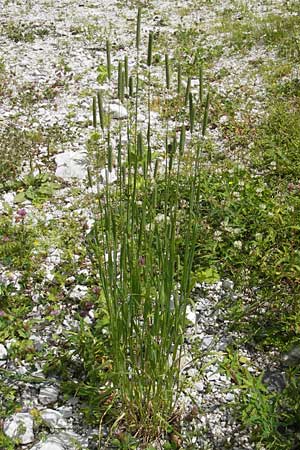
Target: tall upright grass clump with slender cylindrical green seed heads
{"x": 143, "y": 247}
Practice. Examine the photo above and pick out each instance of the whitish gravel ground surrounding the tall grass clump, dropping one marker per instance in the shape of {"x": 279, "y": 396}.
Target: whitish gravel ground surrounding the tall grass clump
{"x": 51, "y": 51}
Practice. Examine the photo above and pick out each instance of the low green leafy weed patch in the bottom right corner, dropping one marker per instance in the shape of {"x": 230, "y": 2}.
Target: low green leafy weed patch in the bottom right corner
{"x": 272, "y": 417}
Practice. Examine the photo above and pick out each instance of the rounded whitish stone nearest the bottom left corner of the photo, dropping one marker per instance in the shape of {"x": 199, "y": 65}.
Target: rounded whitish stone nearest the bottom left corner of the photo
{"x": 19, "y": 426}
